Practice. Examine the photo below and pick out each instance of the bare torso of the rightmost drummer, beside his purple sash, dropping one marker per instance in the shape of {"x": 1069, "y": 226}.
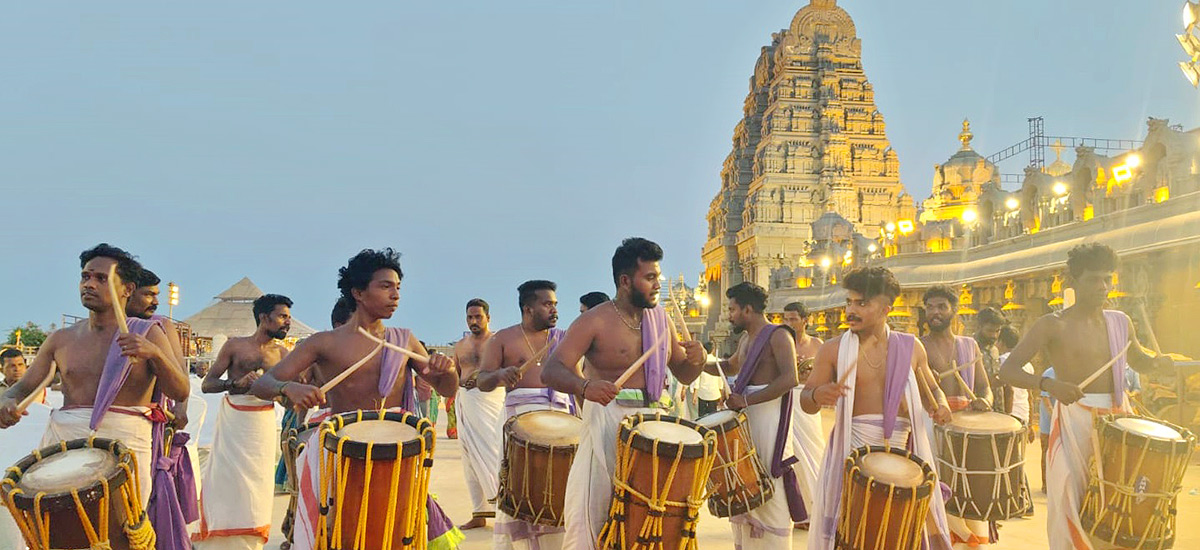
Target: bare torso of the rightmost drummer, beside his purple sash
{"x": 1077, "y": 348}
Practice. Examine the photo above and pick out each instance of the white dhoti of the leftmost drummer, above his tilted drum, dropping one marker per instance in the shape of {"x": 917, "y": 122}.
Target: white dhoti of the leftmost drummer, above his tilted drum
{"x": 125, "y": 425}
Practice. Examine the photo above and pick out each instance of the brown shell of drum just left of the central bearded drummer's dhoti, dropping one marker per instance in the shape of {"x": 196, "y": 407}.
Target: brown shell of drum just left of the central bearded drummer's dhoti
{"x": 530, "y": 473}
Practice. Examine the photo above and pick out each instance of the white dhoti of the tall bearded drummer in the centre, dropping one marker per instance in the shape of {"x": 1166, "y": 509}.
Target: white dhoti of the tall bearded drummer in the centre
{"x": 590, "y": 485}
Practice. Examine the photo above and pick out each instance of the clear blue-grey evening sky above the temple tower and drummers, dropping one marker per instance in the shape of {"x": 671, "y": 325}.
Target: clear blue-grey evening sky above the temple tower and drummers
{"x": 489, "y": 142}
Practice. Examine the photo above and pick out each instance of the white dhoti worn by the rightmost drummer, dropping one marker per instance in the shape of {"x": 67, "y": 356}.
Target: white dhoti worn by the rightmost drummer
{"x": 1069, "y": 465}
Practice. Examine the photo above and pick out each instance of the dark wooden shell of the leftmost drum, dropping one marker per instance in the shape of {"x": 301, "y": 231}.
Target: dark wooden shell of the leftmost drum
{"x": 67, "y": 530}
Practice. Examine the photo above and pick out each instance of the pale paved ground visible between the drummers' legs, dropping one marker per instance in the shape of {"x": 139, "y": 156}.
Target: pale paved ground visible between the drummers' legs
{"x": 715, "y": 533}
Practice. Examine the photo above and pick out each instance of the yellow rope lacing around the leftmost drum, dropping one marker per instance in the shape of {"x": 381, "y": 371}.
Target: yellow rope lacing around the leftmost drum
{"x": 140, "y": 534}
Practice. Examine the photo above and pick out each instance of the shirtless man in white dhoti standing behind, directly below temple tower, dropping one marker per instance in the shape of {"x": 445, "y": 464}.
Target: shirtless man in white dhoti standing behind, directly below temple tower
{"x": 808, "y": 433}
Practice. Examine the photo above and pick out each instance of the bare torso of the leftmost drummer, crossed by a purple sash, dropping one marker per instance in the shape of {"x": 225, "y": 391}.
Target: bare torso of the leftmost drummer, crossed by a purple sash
{"x": 81, "y": 354}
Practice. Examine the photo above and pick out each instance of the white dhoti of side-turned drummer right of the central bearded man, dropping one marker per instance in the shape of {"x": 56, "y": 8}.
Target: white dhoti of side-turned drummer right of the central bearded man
{"x": 770, "y": 525}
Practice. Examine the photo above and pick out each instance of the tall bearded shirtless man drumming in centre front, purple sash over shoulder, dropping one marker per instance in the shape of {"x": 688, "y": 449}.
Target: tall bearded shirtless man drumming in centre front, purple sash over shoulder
{"x": 613, "y": 338}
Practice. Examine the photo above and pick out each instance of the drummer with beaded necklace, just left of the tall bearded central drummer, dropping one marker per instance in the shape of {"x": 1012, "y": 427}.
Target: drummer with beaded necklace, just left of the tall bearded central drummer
{"x": 527, "y": 343}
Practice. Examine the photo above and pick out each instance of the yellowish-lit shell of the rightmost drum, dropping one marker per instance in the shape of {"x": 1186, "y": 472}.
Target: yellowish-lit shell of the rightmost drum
{"x": 1160, "y": 469}
